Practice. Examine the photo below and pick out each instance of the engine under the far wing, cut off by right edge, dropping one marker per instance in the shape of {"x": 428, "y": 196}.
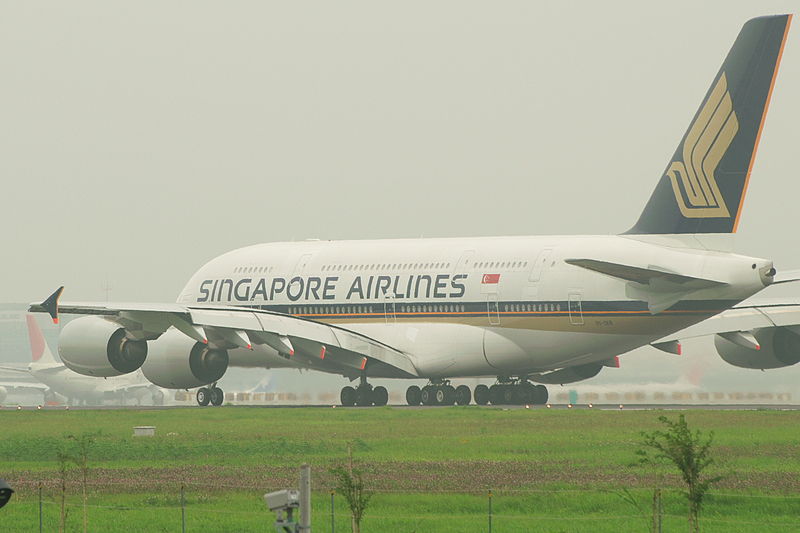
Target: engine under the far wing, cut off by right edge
{"x": 780, "y": 347}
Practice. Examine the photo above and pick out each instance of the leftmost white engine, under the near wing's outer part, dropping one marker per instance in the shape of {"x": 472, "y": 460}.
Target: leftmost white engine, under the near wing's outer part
{"x": 93, "y": 346}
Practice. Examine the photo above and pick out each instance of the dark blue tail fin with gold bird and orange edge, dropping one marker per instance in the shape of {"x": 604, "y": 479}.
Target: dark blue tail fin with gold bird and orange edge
{"x": 703, "y": 187}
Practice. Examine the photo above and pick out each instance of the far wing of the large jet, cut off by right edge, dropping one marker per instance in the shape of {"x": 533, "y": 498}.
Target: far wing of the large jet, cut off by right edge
{"x": 742, "y": 318}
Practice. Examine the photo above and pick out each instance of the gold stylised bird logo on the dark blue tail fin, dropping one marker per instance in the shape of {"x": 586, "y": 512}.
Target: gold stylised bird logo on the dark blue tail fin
{"x": 708, "y": 139}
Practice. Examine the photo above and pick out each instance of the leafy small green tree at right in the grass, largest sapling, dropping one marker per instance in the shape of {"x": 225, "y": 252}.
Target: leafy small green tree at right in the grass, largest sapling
{"x": 687, "y": 450}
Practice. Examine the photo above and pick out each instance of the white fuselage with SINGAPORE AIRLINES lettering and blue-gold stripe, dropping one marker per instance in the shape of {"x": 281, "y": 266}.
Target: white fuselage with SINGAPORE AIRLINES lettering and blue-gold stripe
{"x": 477, "y": 306}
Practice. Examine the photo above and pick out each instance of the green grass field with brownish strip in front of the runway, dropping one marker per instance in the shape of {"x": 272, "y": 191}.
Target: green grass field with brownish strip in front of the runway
{"x": 431, "y": 469}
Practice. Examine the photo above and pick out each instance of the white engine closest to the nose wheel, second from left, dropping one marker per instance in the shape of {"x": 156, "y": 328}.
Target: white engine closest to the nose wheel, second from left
{"x": 179, "y": 362}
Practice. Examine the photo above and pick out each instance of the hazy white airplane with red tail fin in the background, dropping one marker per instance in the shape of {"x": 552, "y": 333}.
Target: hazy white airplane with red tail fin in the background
{"x": 56, "y": 381}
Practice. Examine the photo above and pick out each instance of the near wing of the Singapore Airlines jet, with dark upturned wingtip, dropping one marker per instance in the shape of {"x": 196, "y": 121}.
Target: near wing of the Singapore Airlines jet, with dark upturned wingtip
{"x": 303, "y": 341}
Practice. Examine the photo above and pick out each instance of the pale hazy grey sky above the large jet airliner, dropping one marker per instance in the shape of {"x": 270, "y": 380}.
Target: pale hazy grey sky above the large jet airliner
{"x": 140, "y": 139}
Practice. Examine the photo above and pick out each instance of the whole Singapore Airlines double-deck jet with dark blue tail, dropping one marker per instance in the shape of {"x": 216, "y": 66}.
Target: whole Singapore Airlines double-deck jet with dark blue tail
{"x": 526, "y": 309}
